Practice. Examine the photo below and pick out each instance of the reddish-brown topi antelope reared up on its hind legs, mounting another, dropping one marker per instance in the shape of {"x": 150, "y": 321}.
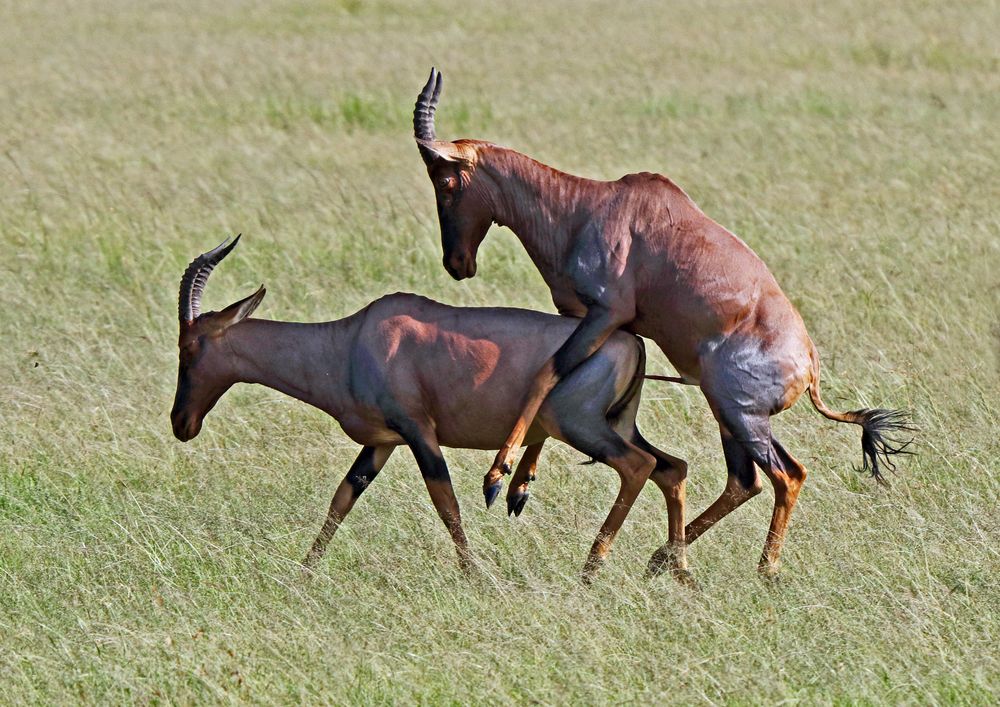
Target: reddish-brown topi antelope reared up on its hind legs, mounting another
{"x": 638, "y": 253}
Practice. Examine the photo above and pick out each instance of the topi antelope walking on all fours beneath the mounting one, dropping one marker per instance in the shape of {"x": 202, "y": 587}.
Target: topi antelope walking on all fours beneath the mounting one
{"x": 407, "y": 370}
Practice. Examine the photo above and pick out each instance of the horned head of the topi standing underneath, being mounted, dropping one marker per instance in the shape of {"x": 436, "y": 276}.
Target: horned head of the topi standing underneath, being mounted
{"x": 207, "y": 369}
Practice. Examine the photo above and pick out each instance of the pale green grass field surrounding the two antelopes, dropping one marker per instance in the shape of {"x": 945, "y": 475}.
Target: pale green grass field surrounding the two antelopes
{"x": 853, "y": 145}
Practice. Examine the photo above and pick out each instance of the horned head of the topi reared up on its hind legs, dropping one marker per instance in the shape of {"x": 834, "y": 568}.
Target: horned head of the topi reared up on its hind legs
{"x": 464, "y": 210}
